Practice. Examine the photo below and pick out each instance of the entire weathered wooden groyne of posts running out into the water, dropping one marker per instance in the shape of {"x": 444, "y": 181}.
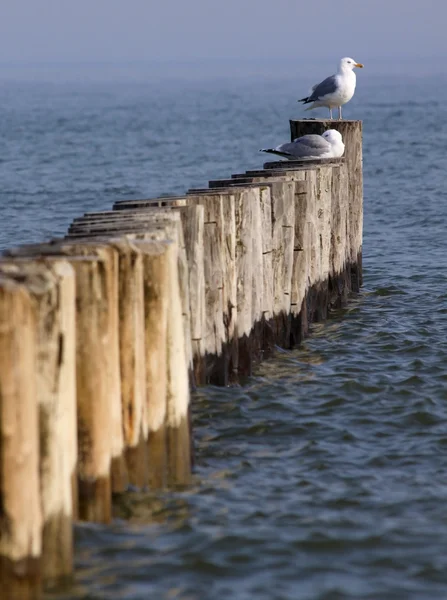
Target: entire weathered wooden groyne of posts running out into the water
{"x": 104, "y": 332}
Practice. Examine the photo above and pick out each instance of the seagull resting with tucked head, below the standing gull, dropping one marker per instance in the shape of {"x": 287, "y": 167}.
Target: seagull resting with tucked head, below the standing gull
{"x": 328, "y": 145}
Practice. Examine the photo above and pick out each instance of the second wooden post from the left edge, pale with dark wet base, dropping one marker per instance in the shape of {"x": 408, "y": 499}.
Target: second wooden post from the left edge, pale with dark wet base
{"x": 51, "y": 285}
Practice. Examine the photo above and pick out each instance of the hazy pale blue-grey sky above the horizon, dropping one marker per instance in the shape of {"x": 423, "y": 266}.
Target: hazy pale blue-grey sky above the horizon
{"x": 133, "y": 30}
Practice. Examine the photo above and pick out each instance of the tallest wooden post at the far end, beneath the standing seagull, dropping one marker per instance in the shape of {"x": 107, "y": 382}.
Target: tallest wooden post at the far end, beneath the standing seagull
{"x": 351, "y": 132}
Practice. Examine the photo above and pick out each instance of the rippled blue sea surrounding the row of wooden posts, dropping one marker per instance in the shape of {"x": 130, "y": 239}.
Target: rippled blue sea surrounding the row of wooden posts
{"x": 323, "y": 476}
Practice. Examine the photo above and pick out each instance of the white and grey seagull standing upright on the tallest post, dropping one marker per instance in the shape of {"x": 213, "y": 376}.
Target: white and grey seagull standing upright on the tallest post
{"x": 335, "y": 90}
